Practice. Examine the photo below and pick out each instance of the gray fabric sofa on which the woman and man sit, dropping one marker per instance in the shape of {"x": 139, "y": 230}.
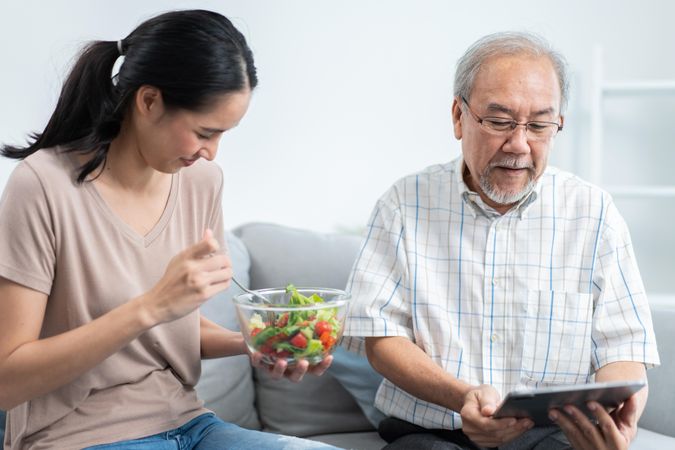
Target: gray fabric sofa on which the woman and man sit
{"x": 337, "y": 407}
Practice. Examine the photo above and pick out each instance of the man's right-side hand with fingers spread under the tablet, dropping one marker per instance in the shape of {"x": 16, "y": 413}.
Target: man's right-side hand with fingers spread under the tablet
{"x": 614, "y": 431}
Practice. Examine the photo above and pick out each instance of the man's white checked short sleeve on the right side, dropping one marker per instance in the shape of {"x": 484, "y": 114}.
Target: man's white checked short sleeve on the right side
{"x": 622, "y": 323}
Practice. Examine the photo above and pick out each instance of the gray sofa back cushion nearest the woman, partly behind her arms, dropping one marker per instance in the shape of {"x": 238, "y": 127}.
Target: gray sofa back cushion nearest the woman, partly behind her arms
{"x": 226, "y": 384}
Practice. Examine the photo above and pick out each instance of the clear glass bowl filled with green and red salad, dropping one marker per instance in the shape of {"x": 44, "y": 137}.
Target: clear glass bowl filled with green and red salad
{"x": 287, "y": 329}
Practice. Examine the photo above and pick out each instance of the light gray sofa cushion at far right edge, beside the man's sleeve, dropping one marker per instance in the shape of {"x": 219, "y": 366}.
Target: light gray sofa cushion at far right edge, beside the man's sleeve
{"x": 659, "y": 415}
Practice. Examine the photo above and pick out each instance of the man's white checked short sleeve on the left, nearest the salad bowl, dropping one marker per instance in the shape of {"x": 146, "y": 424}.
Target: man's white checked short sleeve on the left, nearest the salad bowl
{"x": 379, "y": 279}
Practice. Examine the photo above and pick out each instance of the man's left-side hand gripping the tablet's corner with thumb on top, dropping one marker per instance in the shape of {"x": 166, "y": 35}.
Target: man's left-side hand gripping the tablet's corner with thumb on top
{"x": 477, "y": 422}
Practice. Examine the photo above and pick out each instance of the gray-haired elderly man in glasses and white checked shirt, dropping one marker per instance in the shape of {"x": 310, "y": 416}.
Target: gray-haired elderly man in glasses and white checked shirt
{"x": 495, "y": 272}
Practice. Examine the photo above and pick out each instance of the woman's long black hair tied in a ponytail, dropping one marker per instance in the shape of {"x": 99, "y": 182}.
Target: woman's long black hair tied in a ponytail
{"x": 191, "y": 56}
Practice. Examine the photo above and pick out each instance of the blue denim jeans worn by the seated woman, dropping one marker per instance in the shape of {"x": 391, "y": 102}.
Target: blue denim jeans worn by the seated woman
{"x": 208, "y": 432}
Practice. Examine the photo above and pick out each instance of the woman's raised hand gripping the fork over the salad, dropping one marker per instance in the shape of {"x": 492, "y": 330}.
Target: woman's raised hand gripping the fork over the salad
{"x": 191, "y": 277}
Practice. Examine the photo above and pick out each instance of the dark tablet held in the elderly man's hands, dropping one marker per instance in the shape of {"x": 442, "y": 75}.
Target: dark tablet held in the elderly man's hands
{"x": 535, "y": 403}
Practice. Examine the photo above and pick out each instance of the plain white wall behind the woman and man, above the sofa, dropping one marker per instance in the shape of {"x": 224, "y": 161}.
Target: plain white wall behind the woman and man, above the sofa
{"x": 353, "y": 94}
